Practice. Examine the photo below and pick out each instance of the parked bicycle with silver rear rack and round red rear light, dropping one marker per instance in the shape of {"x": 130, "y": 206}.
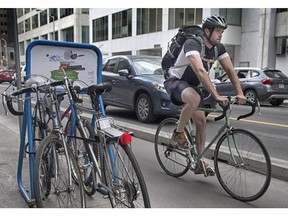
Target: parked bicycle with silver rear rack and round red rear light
{"x": 113, "y": 168}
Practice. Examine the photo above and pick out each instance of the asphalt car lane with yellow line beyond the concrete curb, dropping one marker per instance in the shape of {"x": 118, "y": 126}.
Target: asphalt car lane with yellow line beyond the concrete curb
{"x": 272, "y": 133}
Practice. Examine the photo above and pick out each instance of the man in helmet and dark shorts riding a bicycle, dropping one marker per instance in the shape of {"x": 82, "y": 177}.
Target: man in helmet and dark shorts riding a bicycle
{"x": 183, "y": 80}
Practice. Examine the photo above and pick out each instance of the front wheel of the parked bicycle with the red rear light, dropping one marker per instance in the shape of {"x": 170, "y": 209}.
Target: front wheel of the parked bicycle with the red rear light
{"x": 79, "y": 145}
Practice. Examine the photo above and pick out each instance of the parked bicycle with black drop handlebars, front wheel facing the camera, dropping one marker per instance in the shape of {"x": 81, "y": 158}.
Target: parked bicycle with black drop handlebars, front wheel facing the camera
{"x": 54, "y": 161}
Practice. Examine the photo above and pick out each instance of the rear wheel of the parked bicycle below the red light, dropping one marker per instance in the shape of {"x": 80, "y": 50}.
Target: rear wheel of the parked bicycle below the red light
{"x": 124, "y": 178}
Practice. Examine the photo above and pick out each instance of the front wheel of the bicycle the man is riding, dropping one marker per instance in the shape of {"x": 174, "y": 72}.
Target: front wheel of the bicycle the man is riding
{"x": 246, "y": 181}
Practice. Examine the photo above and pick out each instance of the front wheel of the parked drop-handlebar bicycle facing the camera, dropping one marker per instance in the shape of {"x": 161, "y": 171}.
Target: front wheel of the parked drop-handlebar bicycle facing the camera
{"x": 58, "y": 181}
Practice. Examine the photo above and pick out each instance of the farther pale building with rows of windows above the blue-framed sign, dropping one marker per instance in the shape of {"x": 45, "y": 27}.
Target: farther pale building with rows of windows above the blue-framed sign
{"x": 63, "y": 24}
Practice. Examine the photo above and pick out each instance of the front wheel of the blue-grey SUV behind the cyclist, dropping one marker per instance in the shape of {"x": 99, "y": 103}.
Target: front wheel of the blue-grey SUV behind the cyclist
{"x": 144, "y": 108}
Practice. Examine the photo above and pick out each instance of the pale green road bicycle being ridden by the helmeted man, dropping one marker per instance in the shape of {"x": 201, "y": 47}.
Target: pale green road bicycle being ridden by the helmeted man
{"x": 242, "y": 163}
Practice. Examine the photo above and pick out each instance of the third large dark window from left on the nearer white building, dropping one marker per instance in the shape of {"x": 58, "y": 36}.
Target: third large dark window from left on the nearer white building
{"x": 149, "y": 20}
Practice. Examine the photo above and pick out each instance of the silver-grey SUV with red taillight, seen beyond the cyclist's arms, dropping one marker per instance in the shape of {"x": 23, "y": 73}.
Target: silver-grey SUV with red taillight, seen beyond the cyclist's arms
{"x": 262, "y": 84}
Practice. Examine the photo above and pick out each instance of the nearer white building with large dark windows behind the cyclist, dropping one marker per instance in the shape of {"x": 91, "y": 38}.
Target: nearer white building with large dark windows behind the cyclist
{"x": 255, "y": 37}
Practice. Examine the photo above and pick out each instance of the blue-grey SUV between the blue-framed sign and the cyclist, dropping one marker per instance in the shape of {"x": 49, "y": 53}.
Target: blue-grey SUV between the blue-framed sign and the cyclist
{"x": 137, "y": 84}
